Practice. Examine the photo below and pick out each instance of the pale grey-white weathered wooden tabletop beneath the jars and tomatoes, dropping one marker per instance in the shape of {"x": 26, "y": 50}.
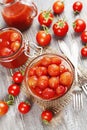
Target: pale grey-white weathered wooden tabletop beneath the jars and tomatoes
{"x": 68, "y": 119}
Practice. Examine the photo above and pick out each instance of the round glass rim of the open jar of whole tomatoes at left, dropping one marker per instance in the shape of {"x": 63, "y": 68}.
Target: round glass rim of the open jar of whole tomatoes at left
{"x": 15, "y": 53}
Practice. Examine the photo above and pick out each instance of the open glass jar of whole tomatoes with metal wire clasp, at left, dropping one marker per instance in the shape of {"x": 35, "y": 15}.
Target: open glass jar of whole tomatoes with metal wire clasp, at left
{"x": 14, "y": 49}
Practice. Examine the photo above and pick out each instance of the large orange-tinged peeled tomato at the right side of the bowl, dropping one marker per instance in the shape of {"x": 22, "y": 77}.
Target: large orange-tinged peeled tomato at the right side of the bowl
{"x": 66, "y": 79}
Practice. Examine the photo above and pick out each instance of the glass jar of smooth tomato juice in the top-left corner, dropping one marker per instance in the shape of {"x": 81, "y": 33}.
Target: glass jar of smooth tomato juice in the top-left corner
{"x": 18, "y": 13}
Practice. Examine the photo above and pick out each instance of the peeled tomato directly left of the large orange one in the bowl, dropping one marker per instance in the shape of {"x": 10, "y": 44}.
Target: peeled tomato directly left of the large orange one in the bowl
{"x": 53, "y": 82}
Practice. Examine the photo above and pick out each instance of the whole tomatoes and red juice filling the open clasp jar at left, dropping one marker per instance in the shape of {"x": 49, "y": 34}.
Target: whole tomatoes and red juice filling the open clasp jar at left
{"x": 11, "y": 54}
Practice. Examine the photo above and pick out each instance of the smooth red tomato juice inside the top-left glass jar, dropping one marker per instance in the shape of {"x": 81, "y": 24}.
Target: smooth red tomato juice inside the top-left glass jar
{"x": 18, "y": 15}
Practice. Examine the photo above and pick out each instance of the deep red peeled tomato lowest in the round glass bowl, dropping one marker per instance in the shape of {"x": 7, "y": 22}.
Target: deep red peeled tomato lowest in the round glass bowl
{"x": 48, "y": 93}
